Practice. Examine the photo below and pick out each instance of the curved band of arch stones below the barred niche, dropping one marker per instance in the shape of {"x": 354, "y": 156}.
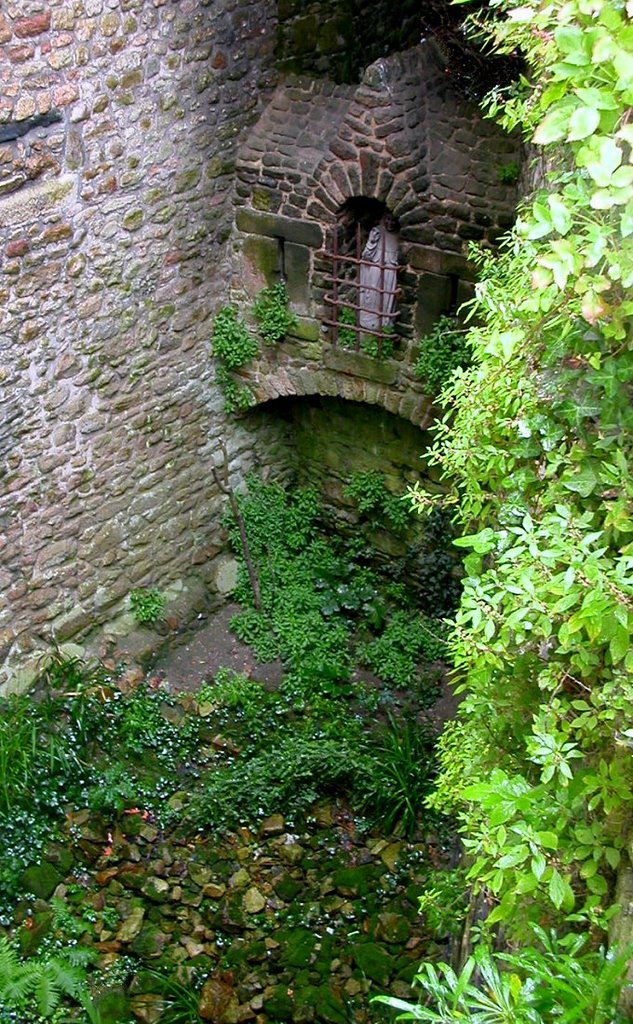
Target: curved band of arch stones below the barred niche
{"x": 300, "y": 381}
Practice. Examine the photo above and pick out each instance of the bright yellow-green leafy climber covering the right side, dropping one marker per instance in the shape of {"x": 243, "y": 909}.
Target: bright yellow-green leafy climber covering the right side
{"x": 538, "y": 445}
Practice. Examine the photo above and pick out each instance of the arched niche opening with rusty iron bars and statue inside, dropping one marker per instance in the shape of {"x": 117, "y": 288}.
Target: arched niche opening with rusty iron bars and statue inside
{"x": 362, "y": 275}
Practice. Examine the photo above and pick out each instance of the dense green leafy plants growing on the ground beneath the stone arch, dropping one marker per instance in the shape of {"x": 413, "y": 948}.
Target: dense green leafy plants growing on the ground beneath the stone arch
{"x": 325, "y": 607}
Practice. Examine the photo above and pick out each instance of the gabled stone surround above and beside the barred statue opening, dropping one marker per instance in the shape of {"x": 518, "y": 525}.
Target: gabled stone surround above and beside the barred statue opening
{"x": 406, "y": 141}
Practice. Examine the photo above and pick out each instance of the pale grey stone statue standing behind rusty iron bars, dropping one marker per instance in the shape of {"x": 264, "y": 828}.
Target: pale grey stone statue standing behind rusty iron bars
{"x": 377, "y": 286}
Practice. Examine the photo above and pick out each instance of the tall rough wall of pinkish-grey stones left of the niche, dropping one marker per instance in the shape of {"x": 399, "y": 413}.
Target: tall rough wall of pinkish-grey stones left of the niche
{"x": 119, "y": 123}
